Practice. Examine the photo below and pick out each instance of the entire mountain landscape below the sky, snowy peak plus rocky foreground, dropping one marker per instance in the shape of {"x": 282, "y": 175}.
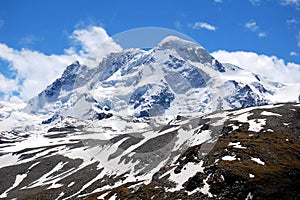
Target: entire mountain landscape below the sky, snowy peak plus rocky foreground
{"x": 167, "y": 123}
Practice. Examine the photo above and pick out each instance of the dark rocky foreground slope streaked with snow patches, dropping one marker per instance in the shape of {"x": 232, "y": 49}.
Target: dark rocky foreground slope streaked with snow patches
{"x": 251, "y": 153}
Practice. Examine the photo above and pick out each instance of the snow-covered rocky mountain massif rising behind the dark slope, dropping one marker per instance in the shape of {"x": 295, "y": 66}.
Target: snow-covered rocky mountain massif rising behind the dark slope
{"x": 176, "y": 77}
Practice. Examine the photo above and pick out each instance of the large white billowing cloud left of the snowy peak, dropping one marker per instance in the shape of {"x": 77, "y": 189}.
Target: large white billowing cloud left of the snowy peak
{"x": 34, "y": 70}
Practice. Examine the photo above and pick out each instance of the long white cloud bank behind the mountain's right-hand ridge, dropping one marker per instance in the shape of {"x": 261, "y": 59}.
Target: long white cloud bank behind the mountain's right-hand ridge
{"x": 269, "y": 66}
